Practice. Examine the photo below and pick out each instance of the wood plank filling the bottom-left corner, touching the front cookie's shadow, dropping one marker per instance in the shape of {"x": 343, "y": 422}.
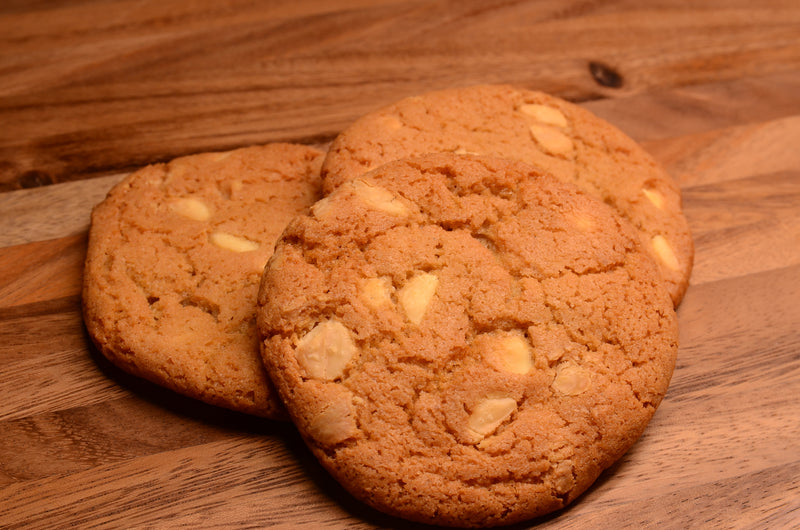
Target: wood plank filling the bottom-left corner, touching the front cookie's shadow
{"x": 210, "y": 485}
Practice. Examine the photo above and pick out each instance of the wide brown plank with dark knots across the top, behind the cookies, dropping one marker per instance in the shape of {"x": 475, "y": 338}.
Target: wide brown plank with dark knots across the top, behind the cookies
{"x": 233, "y": 77}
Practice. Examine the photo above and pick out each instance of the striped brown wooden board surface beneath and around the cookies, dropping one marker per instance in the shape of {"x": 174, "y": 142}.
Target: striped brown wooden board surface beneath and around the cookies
{"x": 90, "y": 90}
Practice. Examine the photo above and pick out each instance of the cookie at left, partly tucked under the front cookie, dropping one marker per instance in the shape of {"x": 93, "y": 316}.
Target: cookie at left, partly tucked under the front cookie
{"x": 174, "y": 260}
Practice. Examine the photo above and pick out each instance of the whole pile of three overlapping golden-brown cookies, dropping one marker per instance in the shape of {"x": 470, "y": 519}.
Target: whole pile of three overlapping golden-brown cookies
{"x": 468, "y": 313}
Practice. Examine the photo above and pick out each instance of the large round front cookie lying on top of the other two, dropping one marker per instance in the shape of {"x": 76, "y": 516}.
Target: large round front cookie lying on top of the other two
{"x": 465, "y": 341}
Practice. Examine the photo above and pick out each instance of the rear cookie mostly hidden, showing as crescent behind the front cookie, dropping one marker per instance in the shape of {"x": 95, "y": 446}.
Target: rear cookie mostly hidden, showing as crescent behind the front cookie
{"x": 559, "y": 137}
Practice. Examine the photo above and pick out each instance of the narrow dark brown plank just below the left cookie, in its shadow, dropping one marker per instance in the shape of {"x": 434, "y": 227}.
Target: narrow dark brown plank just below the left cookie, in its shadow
{"x": 85, "y": 437}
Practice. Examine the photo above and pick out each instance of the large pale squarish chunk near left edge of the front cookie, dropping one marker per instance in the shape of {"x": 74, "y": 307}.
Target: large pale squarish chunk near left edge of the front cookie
{"x": 325, "y": 351}
